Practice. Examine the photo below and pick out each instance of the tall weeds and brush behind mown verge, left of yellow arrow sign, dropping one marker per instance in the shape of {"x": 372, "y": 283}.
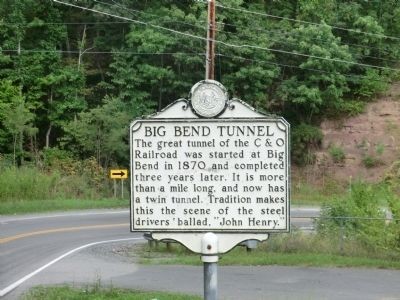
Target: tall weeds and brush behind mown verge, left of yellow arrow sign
{"x": 60, "y": 176}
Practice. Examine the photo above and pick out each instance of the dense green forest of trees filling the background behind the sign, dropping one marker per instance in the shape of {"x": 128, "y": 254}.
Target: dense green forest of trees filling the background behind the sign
{"x": 72, "y": 79}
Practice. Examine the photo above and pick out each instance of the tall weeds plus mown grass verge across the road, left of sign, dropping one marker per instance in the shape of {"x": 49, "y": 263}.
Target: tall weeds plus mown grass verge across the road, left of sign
{"x": 29, "y": 190}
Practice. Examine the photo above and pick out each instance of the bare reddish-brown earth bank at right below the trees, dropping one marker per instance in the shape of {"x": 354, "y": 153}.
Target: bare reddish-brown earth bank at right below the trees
{"x": 360, "y": 147}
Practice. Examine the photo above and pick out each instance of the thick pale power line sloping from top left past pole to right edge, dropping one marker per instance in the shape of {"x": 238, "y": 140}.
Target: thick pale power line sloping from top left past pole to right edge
{"x": 229, "y": 44}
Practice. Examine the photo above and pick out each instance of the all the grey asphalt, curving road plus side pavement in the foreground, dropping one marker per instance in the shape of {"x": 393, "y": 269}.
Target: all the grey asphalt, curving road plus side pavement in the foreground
{"x": 76, "y": 248}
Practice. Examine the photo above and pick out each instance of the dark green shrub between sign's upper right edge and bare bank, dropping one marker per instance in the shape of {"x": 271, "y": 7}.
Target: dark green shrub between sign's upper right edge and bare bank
{"x": 305, "y": 139}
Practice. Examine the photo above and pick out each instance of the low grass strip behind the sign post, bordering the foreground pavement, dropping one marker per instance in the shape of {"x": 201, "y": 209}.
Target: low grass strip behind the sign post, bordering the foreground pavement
{"x": 292, "y": 250}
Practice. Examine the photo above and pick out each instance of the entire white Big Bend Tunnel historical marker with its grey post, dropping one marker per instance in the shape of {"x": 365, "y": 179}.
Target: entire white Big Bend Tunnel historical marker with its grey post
{"x": 209, "y": 173}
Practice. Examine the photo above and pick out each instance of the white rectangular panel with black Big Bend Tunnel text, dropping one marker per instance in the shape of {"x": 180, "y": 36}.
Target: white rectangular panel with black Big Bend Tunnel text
{"x": 210, "y": 175}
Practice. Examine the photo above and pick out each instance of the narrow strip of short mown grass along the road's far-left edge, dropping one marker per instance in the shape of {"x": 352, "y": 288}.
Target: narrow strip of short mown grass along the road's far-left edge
{"x": 34, "y": 206}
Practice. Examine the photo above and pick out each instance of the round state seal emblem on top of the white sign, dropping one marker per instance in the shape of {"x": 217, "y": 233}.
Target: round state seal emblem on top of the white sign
{"x": 208, "y": 98}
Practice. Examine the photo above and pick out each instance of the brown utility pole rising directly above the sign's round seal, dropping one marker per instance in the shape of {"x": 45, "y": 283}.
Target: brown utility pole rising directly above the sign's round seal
{"x": 210, "y": 59}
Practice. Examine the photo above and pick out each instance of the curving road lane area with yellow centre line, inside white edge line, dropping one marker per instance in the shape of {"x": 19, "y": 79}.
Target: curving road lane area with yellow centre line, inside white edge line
{"x": 29, "y": 242}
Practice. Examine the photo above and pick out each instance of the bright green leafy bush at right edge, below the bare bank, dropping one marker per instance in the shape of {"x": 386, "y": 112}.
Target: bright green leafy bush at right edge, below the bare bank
{"x": 359, "y": 217}
